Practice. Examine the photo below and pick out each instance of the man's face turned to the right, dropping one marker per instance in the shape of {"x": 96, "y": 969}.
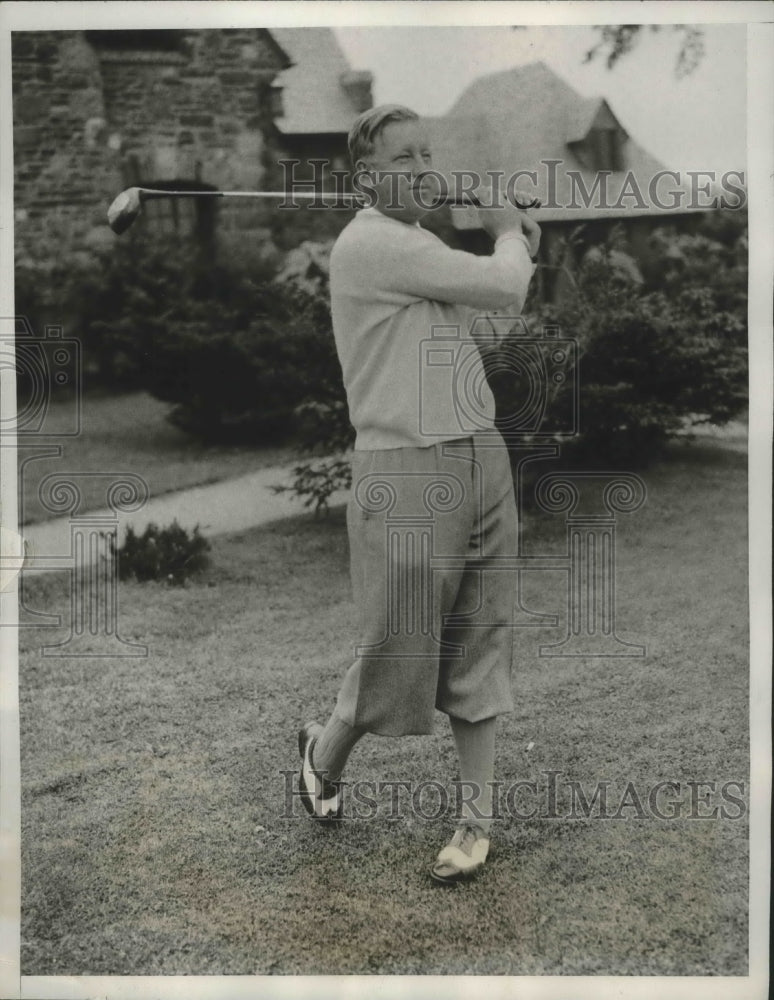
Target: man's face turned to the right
{"x": 401, "y": 155}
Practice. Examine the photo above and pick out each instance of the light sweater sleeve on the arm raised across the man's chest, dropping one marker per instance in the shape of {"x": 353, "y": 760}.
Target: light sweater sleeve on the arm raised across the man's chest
{"x": 427, "y": 268}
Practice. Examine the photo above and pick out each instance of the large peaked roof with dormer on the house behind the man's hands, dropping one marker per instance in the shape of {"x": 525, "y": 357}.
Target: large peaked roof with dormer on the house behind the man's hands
{"x": 517, "y": 119}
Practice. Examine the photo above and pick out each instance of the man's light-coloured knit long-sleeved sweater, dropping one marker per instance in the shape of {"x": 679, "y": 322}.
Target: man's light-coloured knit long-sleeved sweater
{"x": 404, "y": 305}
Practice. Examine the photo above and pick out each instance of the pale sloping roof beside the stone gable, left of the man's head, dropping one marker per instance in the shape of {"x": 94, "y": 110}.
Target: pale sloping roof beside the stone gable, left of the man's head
{"x": 314, "y": 99}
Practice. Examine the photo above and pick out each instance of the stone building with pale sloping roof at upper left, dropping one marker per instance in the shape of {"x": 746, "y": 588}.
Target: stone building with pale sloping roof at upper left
{"x": 99, "y": 111}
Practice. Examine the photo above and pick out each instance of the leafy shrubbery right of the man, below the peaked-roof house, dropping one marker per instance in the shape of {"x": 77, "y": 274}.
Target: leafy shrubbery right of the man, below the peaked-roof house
{"x": 657, "y": 354}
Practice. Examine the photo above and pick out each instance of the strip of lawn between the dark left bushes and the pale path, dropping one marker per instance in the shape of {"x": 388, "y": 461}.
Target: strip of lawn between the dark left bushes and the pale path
{"x": 130, "y": 433}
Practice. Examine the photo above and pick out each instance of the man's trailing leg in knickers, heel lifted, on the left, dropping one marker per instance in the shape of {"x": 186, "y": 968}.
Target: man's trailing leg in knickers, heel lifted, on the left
{"x": 391, "y": 686}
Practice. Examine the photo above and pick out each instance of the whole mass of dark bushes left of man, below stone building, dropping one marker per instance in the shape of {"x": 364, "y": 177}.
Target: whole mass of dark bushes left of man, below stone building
{"x": 237, "y": 353}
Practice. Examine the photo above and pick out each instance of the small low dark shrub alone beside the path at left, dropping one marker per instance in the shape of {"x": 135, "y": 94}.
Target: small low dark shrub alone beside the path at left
{"x": 170, "y": 554}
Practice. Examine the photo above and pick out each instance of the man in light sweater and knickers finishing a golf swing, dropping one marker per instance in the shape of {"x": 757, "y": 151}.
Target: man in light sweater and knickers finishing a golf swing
{"x": 392, "y": 285}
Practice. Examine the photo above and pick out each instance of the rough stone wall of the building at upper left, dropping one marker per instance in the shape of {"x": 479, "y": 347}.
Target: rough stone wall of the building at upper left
{"x": 94, "y": 114}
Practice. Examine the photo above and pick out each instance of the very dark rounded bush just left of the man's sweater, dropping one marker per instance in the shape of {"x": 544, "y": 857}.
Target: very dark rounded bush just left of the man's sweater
{"x": 240, "y": 374}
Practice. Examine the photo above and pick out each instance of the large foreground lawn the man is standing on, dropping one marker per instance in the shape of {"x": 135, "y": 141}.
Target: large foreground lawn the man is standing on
{"x": 153, "y": 836}
